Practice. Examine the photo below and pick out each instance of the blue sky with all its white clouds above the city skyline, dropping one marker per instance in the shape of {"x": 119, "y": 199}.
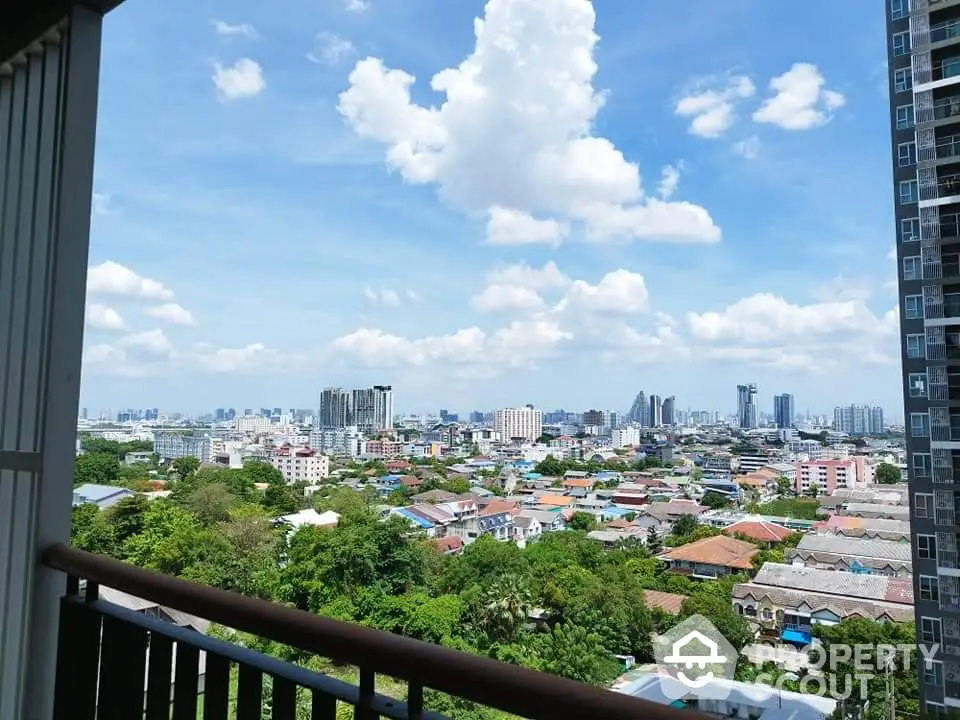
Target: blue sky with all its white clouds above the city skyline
{"x": 589, "y": 199}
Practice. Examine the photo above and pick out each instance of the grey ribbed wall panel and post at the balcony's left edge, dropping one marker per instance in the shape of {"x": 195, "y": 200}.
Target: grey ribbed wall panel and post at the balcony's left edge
{"x": 48, "y": 96}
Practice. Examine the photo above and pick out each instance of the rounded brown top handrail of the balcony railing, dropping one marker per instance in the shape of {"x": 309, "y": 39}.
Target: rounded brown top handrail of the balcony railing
{"x": 509, "y": 688}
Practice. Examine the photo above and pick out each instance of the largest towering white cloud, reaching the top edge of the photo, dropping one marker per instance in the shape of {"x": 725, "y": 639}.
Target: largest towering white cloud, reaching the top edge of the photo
{"x": 514, "y": 132}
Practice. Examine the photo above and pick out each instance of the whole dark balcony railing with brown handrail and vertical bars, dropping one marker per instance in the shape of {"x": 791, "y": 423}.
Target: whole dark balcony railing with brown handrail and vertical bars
{"x": 116, "y": 663}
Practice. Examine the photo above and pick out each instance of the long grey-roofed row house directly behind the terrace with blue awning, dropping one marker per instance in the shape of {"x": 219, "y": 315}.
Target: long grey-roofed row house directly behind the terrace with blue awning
{"x": 853, "y": 554}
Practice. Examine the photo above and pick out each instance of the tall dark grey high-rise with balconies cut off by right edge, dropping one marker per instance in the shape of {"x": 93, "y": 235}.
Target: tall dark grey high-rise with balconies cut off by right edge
{"x": 924, "y": 90}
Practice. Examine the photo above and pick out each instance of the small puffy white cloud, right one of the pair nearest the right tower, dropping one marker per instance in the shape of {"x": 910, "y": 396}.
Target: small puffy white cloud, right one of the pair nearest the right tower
{"x": 800, "y": 101}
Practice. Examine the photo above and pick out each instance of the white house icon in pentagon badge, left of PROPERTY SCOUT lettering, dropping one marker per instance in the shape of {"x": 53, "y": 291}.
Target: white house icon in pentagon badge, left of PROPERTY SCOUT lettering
{"x": 693, "y": 658}
